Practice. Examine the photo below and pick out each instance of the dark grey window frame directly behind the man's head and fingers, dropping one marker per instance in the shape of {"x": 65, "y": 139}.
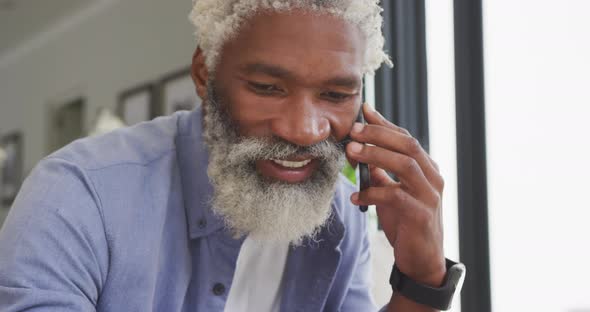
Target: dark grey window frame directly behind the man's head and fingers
{"x": 402, "y": 93}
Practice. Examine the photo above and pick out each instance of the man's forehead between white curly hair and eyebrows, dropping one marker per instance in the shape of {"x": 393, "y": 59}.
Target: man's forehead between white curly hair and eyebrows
{"x": 312, "y": 45}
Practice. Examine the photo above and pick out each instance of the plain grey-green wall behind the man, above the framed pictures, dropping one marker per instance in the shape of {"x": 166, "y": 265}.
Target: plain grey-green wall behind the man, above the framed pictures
{"x": 107, "y": 47}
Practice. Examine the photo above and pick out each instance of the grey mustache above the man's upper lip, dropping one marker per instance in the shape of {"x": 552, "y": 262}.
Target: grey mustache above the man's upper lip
{"x": 253, "y": 149}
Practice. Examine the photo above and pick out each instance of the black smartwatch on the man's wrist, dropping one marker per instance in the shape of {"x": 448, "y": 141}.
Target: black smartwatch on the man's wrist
{"x": 439, "y": 298}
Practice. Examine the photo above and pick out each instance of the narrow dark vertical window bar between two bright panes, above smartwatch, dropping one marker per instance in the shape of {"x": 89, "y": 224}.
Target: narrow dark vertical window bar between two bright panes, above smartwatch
{"x": 471, "y": 155}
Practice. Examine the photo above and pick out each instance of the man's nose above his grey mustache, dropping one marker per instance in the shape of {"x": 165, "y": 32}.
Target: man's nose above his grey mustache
{"x": 302, "y": 123}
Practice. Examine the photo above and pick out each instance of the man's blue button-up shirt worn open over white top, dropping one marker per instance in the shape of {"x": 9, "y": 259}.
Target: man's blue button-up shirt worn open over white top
{"x": 121, "y": 222}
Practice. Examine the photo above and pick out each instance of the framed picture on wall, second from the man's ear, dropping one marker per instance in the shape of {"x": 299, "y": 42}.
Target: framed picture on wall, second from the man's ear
{"x": 137, "y": 104}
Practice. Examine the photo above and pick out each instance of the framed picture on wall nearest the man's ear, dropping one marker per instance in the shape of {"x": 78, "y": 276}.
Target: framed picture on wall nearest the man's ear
{"x": 177, "y": 92}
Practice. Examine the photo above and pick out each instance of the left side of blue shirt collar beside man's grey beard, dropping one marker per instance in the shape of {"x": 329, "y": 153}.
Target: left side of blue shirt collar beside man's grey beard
{"x": 193, "y": 159}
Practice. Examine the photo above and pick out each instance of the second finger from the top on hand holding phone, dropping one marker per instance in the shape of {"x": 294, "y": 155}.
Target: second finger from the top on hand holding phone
{"x": 395, "y": 141}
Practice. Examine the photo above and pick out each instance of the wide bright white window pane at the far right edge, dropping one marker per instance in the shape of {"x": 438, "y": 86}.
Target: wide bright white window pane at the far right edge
{"x": 537, "y": 125}
